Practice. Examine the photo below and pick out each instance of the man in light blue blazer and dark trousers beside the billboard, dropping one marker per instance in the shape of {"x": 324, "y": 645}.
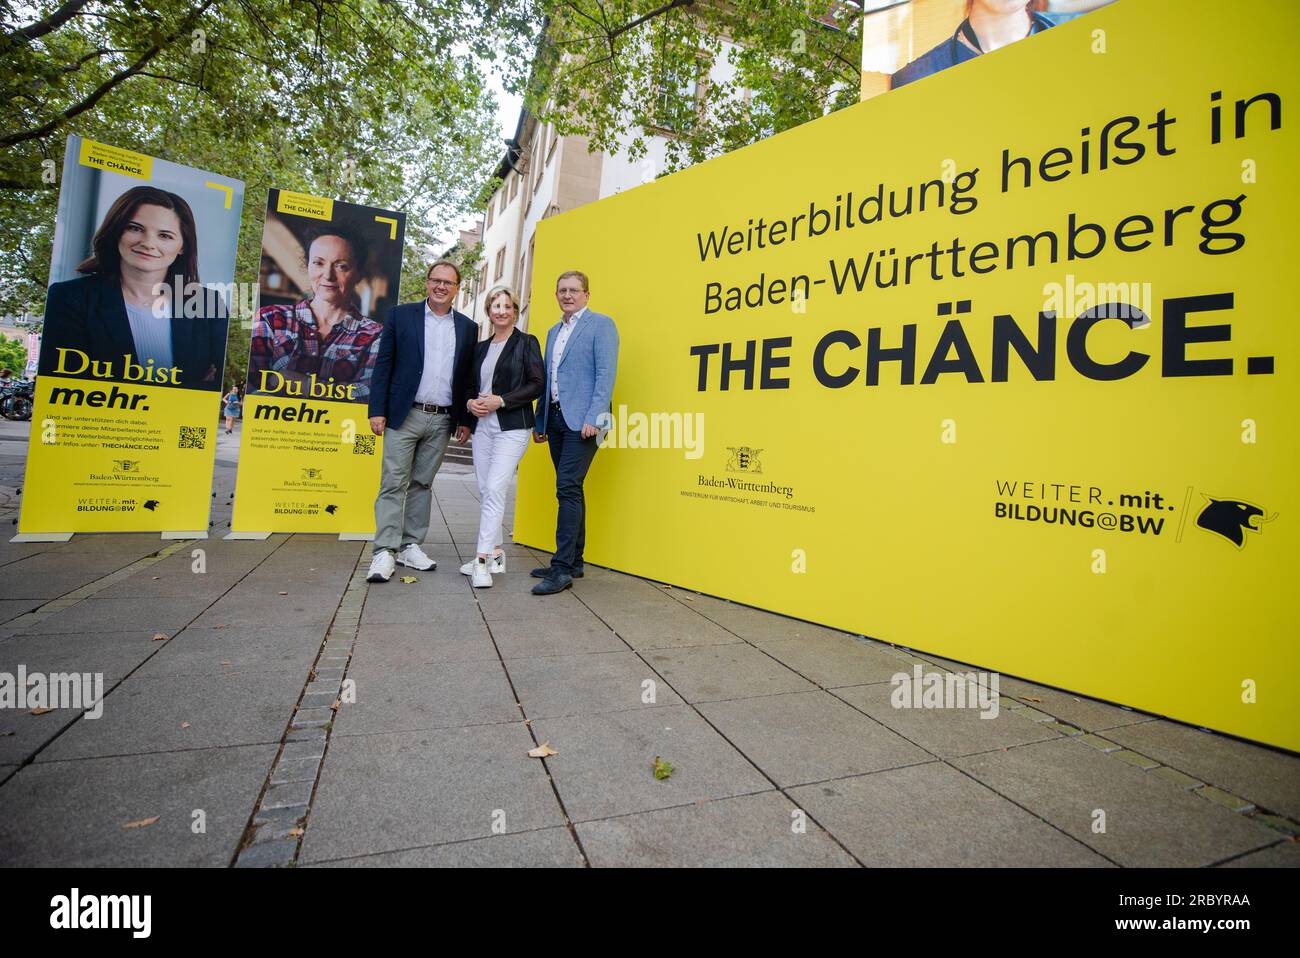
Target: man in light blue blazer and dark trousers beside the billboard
{"x": 582, "y": 361}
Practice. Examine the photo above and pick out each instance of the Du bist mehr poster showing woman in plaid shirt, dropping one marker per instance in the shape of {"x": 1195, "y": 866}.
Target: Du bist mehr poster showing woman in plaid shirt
{"x": 309, "y": 461}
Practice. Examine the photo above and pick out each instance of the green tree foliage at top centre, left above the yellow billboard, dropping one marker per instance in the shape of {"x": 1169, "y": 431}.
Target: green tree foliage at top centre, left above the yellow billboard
{"x": 616, "y": 70}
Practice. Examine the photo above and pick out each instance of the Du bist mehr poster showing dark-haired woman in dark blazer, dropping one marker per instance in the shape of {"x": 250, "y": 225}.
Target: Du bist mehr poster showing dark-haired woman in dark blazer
{"x": 133, "y": 346}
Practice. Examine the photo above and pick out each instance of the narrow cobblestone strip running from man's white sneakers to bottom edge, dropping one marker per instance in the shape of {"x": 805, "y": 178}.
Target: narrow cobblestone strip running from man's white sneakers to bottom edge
{"x": 275, "y": 833}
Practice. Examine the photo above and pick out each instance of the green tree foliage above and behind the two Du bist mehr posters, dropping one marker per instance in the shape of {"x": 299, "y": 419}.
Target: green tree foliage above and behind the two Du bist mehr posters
{"x": 374, "y": 102}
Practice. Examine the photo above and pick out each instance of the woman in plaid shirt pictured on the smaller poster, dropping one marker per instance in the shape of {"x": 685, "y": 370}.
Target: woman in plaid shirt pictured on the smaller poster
{"x": 326, "y": 336}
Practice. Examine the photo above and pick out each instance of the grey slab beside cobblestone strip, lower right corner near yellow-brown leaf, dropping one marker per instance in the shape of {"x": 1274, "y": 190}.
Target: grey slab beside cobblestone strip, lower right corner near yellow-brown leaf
{"x": 427, "y": 696}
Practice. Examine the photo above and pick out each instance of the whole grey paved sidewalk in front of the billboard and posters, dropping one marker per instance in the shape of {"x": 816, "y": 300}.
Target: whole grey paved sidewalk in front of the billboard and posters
{"x": 219, "y": 743}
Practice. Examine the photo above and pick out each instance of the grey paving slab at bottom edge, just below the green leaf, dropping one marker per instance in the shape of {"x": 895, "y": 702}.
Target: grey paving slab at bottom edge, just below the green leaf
{"x": 747, "y": 833}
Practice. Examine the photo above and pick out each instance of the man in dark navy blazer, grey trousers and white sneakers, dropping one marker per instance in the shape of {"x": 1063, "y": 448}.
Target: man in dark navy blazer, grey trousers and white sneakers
{"x": 424, "y": 363}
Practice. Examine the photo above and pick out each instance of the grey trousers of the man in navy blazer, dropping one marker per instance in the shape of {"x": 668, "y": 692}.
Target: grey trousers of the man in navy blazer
{"x": 413, "y": 454}
